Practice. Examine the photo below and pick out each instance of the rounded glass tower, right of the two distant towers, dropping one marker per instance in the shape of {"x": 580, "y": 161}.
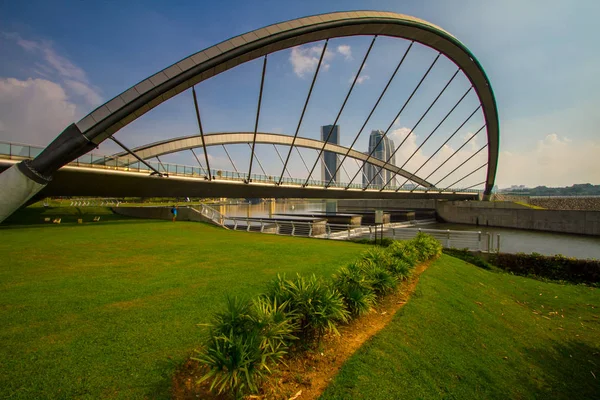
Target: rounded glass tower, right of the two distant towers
{"x": 385, "y": 149}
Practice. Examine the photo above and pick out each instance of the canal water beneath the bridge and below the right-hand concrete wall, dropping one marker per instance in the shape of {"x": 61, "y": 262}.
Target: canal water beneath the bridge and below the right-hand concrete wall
{"x": 511, "y": 240}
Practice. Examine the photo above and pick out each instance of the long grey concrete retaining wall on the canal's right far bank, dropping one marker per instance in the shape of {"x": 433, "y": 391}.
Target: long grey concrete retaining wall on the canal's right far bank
{"x": 494, "y": 214}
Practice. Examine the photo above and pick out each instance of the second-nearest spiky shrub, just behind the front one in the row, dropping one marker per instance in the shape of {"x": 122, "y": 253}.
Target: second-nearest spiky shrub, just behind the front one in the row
{"x": 316, "y": 307}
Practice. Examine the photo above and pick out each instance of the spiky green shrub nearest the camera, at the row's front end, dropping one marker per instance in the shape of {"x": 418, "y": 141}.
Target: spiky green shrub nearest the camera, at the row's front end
{"x": 243, "y": 341}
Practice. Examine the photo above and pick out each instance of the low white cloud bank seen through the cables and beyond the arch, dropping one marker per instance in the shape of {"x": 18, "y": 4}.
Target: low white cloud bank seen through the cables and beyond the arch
{"x": 553, "y": 161}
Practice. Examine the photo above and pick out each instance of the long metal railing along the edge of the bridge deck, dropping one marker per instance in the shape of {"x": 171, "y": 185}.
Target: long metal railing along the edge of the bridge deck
{"x": 18, "y": 151}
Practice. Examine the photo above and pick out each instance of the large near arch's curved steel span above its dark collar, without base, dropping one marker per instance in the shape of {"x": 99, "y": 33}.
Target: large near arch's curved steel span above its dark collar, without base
{"x": 134, "y": 102}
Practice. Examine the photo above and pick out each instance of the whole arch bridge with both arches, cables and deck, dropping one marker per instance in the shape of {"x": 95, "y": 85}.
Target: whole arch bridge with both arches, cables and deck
{"x": 58, "y": 170}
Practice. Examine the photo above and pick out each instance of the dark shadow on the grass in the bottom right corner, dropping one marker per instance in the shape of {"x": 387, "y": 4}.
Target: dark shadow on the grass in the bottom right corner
{"x": 571, "y": 370}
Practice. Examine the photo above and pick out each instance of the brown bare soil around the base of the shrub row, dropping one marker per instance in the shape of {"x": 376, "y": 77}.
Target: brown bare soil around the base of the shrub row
{"x": 307, "y": 374}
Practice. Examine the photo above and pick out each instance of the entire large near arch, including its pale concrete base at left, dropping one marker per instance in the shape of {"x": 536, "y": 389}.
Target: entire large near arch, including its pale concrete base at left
{"x": 80, "y": 138}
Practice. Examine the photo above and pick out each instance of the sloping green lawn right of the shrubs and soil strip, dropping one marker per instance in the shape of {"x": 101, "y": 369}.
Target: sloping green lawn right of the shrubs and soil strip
{"x": 468, "y": 333}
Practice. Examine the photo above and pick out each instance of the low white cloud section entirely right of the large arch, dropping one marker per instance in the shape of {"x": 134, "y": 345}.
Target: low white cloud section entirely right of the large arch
{"x": 553, "y": 161}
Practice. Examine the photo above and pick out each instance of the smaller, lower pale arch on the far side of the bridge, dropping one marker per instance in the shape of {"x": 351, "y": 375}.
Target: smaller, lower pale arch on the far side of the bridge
{"x": 161, "y": 148}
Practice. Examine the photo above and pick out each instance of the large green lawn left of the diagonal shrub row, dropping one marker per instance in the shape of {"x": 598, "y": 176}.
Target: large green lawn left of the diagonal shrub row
{"x": 109, "y": 309}
